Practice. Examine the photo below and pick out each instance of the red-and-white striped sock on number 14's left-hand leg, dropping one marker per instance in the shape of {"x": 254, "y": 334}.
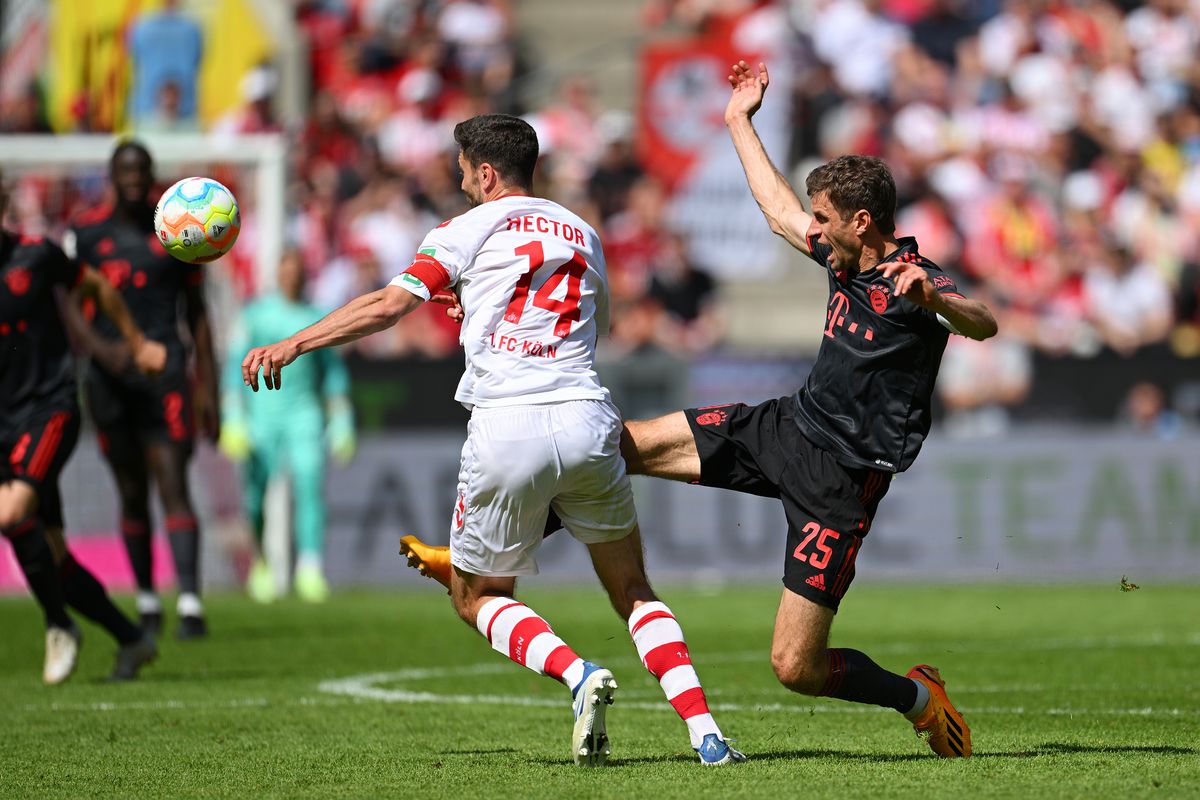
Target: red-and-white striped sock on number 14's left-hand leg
{"x": 517, "y": 631}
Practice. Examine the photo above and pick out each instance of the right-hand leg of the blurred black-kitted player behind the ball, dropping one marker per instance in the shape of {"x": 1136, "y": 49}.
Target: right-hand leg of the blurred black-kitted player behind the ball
{"x": 169, "y": 462}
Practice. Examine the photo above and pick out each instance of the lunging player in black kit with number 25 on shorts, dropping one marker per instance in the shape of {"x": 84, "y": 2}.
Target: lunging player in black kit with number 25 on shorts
{"x": 829, "y": 452}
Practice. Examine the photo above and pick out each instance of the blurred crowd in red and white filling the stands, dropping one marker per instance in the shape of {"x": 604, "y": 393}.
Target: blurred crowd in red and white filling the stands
{"x": 1047, "y": 151}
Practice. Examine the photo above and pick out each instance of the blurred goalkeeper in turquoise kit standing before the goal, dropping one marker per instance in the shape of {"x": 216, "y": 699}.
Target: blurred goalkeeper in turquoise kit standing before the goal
{"x": 275, "y": 435}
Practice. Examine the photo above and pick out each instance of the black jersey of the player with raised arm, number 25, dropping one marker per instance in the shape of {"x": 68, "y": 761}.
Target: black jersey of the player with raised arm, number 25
{"x": 868, "y": 398}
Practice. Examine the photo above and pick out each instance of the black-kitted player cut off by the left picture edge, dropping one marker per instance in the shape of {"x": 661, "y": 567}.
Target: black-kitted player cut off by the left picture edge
{"x": 39, "y": 428}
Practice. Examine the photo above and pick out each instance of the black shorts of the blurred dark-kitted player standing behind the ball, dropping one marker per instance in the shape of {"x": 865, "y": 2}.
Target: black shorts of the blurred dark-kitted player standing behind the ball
{"x": 147, "y": 410}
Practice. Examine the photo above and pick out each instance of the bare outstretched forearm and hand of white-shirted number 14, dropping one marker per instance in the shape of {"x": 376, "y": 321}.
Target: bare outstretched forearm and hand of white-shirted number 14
{"x": 361, "y": 317}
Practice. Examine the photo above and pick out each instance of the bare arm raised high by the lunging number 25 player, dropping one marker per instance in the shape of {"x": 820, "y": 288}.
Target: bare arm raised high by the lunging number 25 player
{"x": 778, "y": 201}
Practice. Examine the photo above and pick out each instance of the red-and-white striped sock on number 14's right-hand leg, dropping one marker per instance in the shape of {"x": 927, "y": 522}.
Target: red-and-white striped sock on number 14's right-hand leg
{"x": 661, "y": 646}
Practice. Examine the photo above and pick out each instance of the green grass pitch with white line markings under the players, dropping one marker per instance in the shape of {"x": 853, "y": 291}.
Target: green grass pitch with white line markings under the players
{"x": 1070, "y": 691}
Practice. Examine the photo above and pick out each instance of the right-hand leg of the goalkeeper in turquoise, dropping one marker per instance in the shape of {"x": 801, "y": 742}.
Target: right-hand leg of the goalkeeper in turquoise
{"x": 307, "y": 459}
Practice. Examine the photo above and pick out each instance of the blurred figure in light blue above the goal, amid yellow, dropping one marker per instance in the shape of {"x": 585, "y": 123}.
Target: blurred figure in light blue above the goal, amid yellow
{"x": 165, "y": 46}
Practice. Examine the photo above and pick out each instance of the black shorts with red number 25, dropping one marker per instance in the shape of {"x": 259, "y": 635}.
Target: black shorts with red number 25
{"x": 830, "y": 507}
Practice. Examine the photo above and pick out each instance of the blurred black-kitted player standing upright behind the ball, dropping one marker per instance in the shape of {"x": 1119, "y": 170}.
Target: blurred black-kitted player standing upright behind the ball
{"x": 147, "y": 428}
